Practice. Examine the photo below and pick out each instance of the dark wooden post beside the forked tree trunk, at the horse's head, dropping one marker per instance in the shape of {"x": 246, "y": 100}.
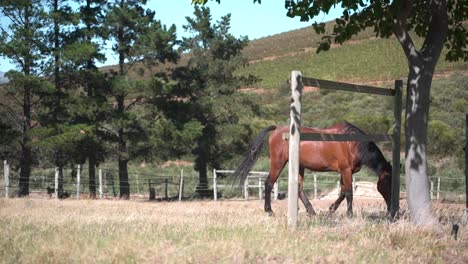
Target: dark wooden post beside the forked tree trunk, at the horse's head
{"x": 395, "y": 194}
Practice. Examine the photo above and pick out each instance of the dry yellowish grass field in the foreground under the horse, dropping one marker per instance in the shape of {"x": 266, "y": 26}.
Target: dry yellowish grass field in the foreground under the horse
{"x": 104, "y": 231}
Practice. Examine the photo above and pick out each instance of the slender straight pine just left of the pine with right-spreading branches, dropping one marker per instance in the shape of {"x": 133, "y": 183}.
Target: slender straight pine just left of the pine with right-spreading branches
{"x": 92, "y": 106}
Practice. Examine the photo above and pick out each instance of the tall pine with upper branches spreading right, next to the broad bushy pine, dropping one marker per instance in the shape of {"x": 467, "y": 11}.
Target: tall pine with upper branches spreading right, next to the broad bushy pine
{"x": 138, "y": 38}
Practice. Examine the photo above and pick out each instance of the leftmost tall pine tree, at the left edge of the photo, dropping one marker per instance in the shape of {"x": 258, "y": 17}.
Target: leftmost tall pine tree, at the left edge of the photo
{"x": 23, "y": 44}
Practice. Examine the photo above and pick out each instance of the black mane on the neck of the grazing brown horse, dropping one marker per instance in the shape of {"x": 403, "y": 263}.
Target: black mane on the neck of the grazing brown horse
{"x": 368, "y": 152}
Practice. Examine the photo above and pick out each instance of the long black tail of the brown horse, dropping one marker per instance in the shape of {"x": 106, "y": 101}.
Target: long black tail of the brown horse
{"x": 252, "y": 156}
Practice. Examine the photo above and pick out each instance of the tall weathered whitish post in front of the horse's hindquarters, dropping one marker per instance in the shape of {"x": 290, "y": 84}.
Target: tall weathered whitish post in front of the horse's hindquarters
{"x": 294, "y": 148}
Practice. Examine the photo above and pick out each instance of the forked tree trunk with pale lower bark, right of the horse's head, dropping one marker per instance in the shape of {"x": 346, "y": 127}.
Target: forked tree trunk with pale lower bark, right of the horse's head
{"x": 421, "y": 64}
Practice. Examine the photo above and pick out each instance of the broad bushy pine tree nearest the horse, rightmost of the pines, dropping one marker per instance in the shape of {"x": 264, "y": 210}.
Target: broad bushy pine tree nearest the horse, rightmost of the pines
{"x": 210, "y": 88}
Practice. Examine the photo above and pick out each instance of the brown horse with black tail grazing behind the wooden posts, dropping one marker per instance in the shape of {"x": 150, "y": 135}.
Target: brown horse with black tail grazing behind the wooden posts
{"x": 345, "y": 157}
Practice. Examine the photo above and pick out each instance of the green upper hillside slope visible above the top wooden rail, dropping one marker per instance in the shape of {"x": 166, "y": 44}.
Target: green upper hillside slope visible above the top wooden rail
{"x": 365, "y": 59}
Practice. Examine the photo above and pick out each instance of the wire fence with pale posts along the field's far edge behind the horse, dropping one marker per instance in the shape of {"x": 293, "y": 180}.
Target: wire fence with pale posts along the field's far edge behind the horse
{"x": 75, "y": 183}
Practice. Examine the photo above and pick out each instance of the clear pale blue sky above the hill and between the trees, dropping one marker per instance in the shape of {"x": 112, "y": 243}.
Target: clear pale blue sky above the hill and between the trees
{"x": 247, "y": 19}
